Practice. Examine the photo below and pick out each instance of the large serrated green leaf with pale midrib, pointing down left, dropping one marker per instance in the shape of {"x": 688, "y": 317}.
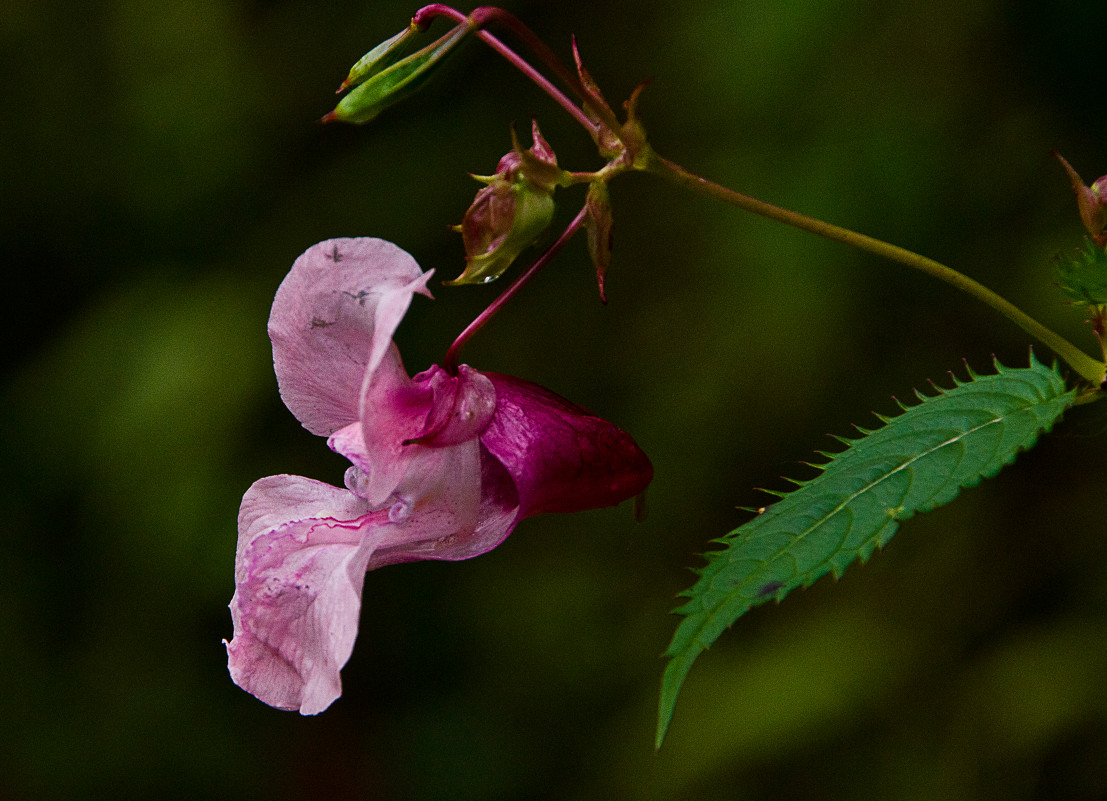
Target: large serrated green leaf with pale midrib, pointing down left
{"x": 917, "y": 462}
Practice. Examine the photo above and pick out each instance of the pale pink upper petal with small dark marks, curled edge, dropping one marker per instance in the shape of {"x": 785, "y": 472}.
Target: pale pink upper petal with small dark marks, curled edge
{"x": 333, "y": 320}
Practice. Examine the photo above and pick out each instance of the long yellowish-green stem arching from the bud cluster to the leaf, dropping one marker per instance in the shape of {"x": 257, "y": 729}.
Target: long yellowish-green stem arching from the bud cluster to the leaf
{"x": 1088, "y": 368}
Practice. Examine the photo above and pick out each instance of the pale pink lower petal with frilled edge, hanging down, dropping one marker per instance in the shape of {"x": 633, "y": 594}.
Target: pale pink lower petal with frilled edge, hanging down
{"x": 303, "y": 554}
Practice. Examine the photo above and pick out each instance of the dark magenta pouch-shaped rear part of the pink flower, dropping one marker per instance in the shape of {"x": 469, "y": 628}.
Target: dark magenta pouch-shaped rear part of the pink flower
{"x": 562, "y": 459}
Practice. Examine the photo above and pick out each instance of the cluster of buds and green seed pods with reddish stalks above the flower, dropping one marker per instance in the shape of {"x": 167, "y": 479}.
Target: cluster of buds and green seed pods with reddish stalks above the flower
{"x": 516, "y": 205}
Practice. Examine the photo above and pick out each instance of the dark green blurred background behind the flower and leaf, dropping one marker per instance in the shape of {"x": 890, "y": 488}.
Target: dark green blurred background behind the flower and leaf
{"x": 161, "y": 168}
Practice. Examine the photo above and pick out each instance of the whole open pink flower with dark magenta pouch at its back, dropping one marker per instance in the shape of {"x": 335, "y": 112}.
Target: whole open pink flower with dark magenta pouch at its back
{"x": 443, "y": 467}
